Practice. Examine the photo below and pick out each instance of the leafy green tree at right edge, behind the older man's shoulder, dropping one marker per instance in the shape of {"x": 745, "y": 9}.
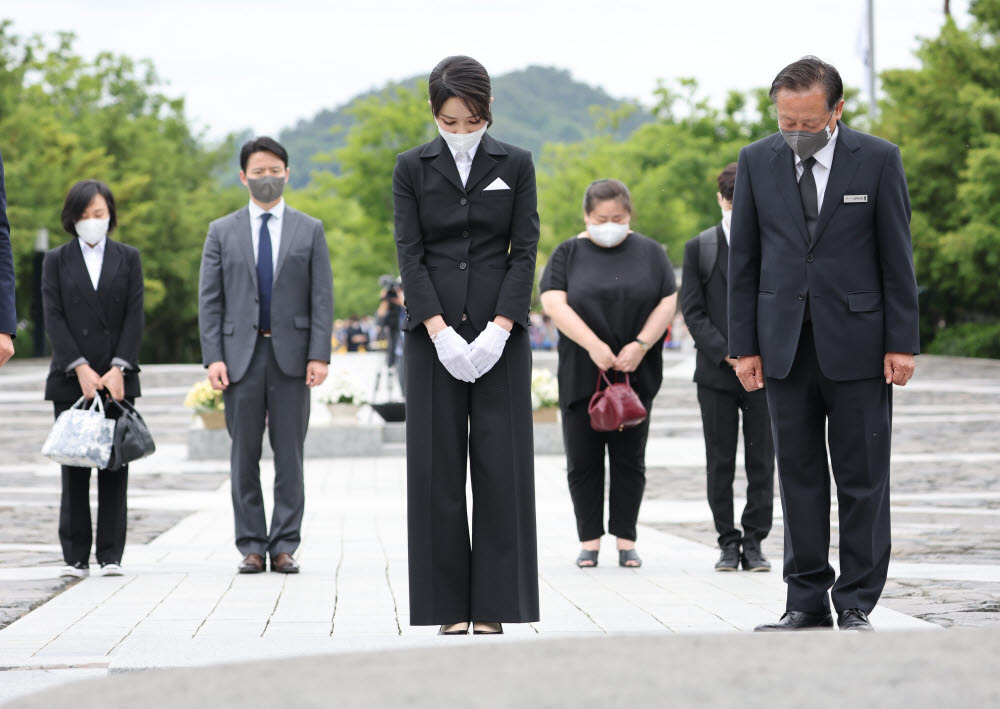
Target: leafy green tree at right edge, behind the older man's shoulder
{"x": 945, "y": 116}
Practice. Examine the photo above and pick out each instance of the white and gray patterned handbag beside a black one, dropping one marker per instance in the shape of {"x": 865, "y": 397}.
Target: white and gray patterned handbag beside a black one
{"x": 81, "y": 436}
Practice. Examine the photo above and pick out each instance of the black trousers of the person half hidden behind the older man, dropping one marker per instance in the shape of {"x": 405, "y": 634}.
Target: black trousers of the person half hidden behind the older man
{"x": 720, "y": 418}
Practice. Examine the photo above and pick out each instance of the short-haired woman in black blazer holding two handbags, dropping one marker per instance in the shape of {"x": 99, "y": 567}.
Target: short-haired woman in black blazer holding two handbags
{"x": 92, "y": 292}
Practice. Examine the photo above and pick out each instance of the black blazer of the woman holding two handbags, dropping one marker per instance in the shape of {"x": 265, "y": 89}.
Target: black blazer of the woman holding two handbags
{"x": 98, "y": 325}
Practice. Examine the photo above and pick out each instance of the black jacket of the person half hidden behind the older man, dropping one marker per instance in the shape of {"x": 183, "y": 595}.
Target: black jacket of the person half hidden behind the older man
{"x": 704, "y": 309}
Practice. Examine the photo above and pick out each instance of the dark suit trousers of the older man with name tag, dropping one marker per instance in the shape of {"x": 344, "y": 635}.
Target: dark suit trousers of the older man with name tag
{"x": 855, "y": 418}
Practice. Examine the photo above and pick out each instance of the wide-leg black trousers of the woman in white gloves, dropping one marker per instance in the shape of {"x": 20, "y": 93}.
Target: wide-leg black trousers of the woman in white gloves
{"x": 494, "y": 576}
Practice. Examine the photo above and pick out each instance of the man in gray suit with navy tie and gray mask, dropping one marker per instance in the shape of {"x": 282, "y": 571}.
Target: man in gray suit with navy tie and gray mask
{"x": 265, "y": 312}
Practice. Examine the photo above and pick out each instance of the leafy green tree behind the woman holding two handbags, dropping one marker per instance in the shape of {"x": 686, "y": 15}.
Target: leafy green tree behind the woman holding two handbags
{"x": 64, "y": 119}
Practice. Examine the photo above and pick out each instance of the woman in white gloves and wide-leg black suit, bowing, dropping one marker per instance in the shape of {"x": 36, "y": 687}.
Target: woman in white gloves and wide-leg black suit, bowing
{"x": 466, "y": 229}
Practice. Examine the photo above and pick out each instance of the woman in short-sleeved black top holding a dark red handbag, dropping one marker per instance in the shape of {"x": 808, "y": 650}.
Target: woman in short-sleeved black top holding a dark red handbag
{"x": 611, "y": 293}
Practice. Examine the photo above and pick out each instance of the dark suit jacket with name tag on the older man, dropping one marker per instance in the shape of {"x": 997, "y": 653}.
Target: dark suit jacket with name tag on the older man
{"x": 857, "y": 272}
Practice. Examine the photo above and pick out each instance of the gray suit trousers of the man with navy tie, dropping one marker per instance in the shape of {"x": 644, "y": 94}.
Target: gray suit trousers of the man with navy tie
{"x": 266, "y": 394}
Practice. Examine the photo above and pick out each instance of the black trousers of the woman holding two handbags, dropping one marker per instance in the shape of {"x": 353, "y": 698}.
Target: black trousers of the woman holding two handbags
{"x": 75, "y": 526}
